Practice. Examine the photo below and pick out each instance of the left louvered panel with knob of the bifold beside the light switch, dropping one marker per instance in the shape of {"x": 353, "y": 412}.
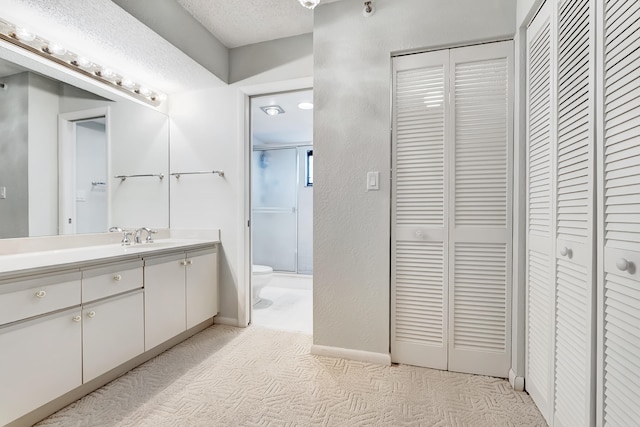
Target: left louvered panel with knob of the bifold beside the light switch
{"x": 419, "y": 279}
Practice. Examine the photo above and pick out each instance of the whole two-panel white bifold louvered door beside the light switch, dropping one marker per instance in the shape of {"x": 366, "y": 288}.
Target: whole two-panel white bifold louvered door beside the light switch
{"x": 451, "y": 216}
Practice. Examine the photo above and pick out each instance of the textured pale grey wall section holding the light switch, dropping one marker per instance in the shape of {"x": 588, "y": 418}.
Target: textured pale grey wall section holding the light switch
{"x": 352, "y": 76}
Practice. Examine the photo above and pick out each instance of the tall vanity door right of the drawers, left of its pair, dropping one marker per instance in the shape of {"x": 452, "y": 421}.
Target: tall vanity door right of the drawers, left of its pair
{"x": 164, "y": 299}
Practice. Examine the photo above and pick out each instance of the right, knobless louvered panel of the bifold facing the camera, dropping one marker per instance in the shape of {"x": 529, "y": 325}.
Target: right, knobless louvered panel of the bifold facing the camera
{"x": 480, "y": 209}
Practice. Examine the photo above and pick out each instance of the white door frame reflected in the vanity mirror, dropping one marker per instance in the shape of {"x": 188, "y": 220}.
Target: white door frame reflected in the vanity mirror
{"x": 67, "y": 164}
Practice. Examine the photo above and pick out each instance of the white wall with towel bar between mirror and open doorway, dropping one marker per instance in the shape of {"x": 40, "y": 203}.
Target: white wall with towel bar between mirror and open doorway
{"x": 208, "y": 132}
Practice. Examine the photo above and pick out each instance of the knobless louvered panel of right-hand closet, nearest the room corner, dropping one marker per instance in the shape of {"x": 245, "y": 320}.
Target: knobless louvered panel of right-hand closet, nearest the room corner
{"x": 540, "y": 219}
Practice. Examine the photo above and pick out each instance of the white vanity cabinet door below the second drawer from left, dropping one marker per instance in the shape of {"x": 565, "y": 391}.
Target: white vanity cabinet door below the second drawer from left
{"x": 112, "y": 333}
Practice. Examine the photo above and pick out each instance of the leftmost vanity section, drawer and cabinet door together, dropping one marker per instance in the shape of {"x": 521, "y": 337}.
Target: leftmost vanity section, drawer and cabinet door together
{"x": 40, "y": 353}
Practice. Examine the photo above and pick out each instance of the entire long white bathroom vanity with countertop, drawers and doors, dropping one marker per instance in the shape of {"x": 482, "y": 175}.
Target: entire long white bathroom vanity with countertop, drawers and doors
{"x": 73, "y": 319}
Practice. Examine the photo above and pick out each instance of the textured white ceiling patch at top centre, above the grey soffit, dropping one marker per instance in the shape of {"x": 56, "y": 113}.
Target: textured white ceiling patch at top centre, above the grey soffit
{"x": 242, "y": 22}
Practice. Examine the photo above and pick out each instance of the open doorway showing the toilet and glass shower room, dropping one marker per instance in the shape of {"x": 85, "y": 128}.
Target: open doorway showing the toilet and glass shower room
{"x": 281, "y": 171}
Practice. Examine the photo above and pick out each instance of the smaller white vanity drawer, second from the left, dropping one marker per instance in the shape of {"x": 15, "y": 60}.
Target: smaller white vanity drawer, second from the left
{"x": 111, "y": 280}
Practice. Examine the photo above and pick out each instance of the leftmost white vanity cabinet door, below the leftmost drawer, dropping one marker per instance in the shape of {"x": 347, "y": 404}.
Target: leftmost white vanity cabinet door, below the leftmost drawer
{"x": 39, "y": 361}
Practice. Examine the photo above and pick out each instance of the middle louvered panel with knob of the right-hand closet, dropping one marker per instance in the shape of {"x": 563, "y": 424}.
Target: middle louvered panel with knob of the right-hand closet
{"x": 575, "y": 154}
